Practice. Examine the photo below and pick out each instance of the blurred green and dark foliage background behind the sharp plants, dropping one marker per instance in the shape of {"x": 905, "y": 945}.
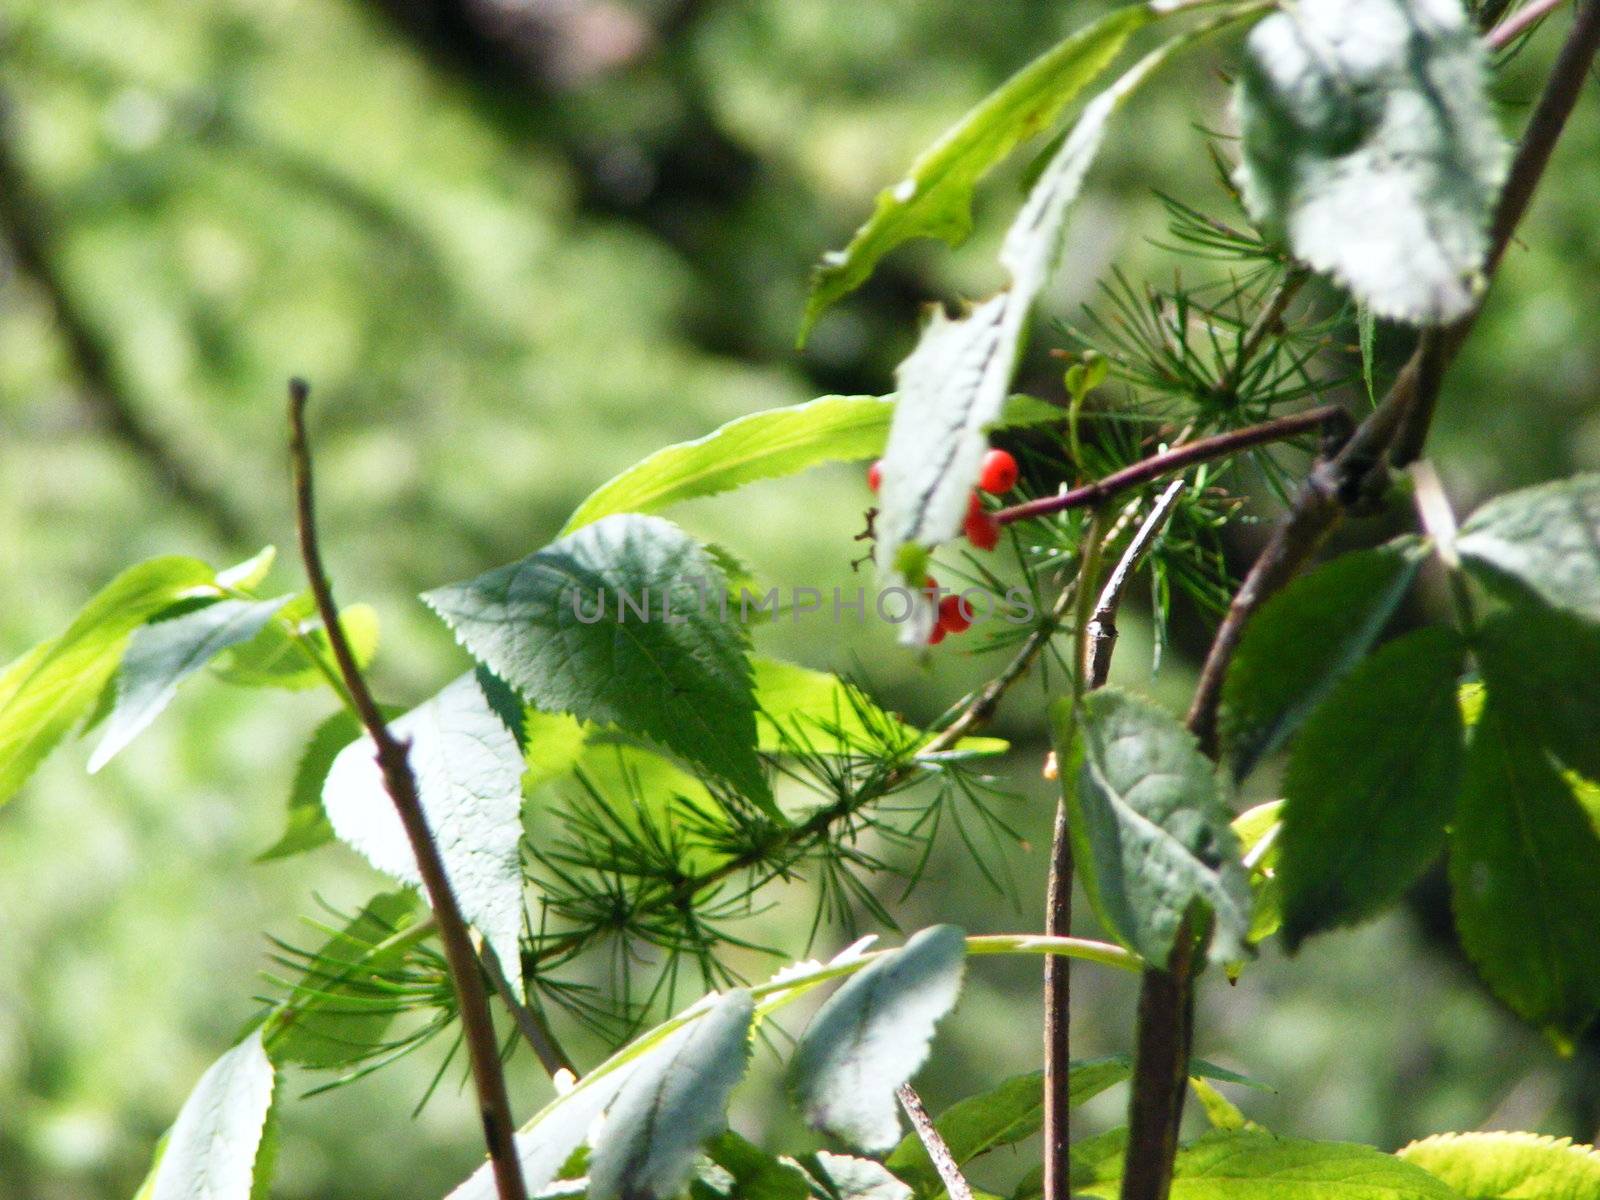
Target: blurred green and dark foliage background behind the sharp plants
{"x": 518, "y": 246}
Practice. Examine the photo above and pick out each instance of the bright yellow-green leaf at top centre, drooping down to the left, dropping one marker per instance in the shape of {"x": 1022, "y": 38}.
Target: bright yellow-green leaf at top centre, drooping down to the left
{"x": 937, "y": 198}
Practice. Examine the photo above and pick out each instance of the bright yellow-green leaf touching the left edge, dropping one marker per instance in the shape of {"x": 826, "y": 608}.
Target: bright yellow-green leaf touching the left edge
{"x": 54, "y": 686}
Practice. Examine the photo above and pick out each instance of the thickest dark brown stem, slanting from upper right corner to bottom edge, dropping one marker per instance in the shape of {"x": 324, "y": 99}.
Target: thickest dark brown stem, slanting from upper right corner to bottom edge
{"x": 1398, "y": 431}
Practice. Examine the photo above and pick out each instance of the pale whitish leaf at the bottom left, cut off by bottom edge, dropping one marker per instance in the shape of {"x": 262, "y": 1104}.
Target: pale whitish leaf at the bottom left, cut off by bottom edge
{"x": 217, "y": 1146}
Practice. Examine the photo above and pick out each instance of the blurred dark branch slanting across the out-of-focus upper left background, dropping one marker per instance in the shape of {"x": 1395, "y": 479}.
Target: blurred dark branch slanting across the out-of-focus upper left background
{"x": 102, "y": 390}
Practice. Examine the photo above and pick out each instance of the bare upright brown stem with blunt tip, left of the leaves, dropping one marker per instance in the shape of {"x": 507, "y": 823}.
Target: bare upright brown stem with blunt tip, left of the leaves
{"x": 478, "y": 1025}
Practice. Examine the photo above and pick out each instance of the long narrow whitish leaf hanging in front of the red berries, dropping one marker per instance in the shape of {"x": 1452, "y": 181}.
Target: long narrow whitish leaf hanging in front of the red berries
{"x": 954, "y": 385}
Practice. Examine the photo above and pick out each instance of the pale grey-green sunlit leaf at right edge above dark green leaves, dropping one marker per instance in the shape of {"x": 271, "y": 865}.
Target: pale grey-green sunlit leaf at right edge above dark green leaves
{"x": 1545, "y": 538}
